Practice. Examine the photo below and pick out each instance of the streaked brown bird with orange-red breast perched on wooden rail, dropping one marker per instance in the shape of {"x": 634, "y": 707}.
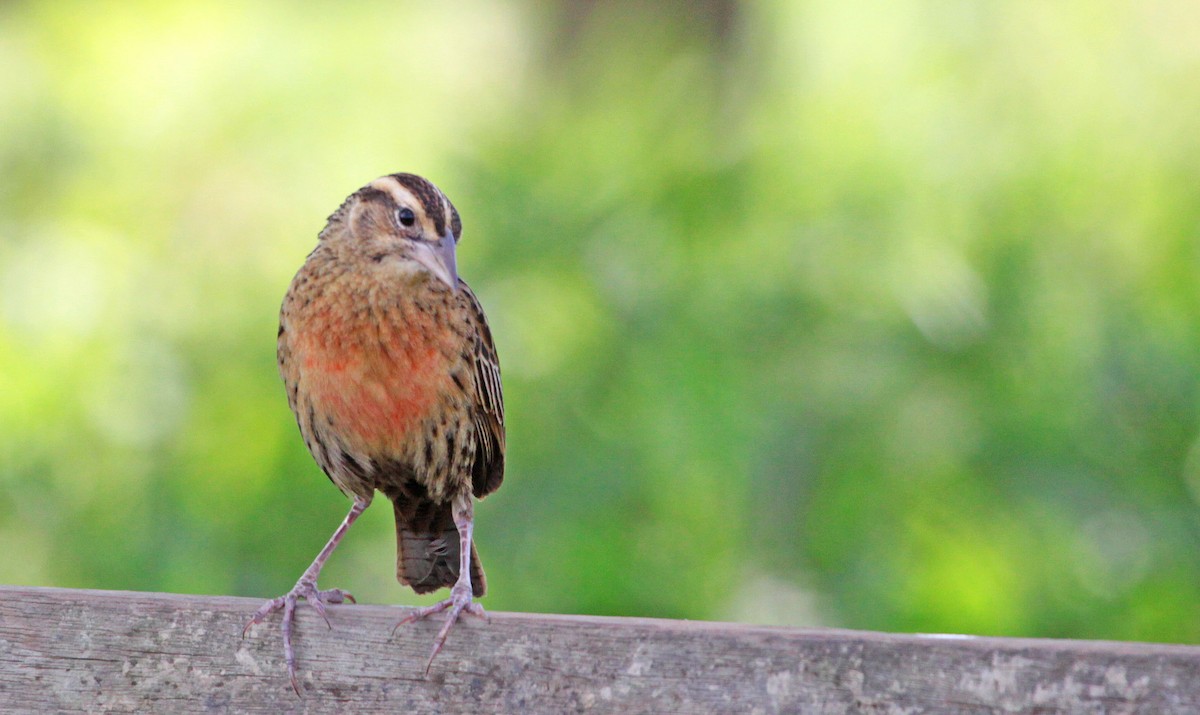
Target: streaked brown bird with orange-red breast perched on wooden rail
{"x": 393, "y": 376}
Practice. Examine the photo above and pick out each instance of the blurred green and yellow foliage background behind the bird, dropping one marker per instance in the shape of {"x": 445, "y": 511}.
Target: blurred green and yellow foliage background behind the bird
{"x": 880, "y": 316}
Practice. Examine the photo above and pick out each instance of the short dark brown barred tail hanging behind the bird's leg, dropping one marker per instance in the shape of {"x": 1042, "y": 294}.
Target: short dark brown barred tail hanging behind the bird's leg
{"x": 428, "y": 550}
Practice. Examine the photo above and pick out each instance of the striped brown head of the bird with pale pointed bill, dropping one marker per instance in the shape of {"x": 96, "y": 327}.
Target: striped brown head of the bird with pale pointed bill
{"x": 403, "y": 224}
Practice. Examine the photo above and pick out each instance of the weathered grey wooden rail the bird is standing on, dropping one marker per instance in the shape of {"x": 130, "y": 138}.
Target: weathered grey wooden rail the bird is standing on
{"x": 80, "y": 651}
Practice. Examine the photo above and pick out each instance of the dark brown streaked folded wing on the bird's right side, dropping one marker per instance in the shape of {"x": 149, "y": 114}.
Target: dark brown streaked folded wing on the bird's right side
{"x": 488, "y": 471}
